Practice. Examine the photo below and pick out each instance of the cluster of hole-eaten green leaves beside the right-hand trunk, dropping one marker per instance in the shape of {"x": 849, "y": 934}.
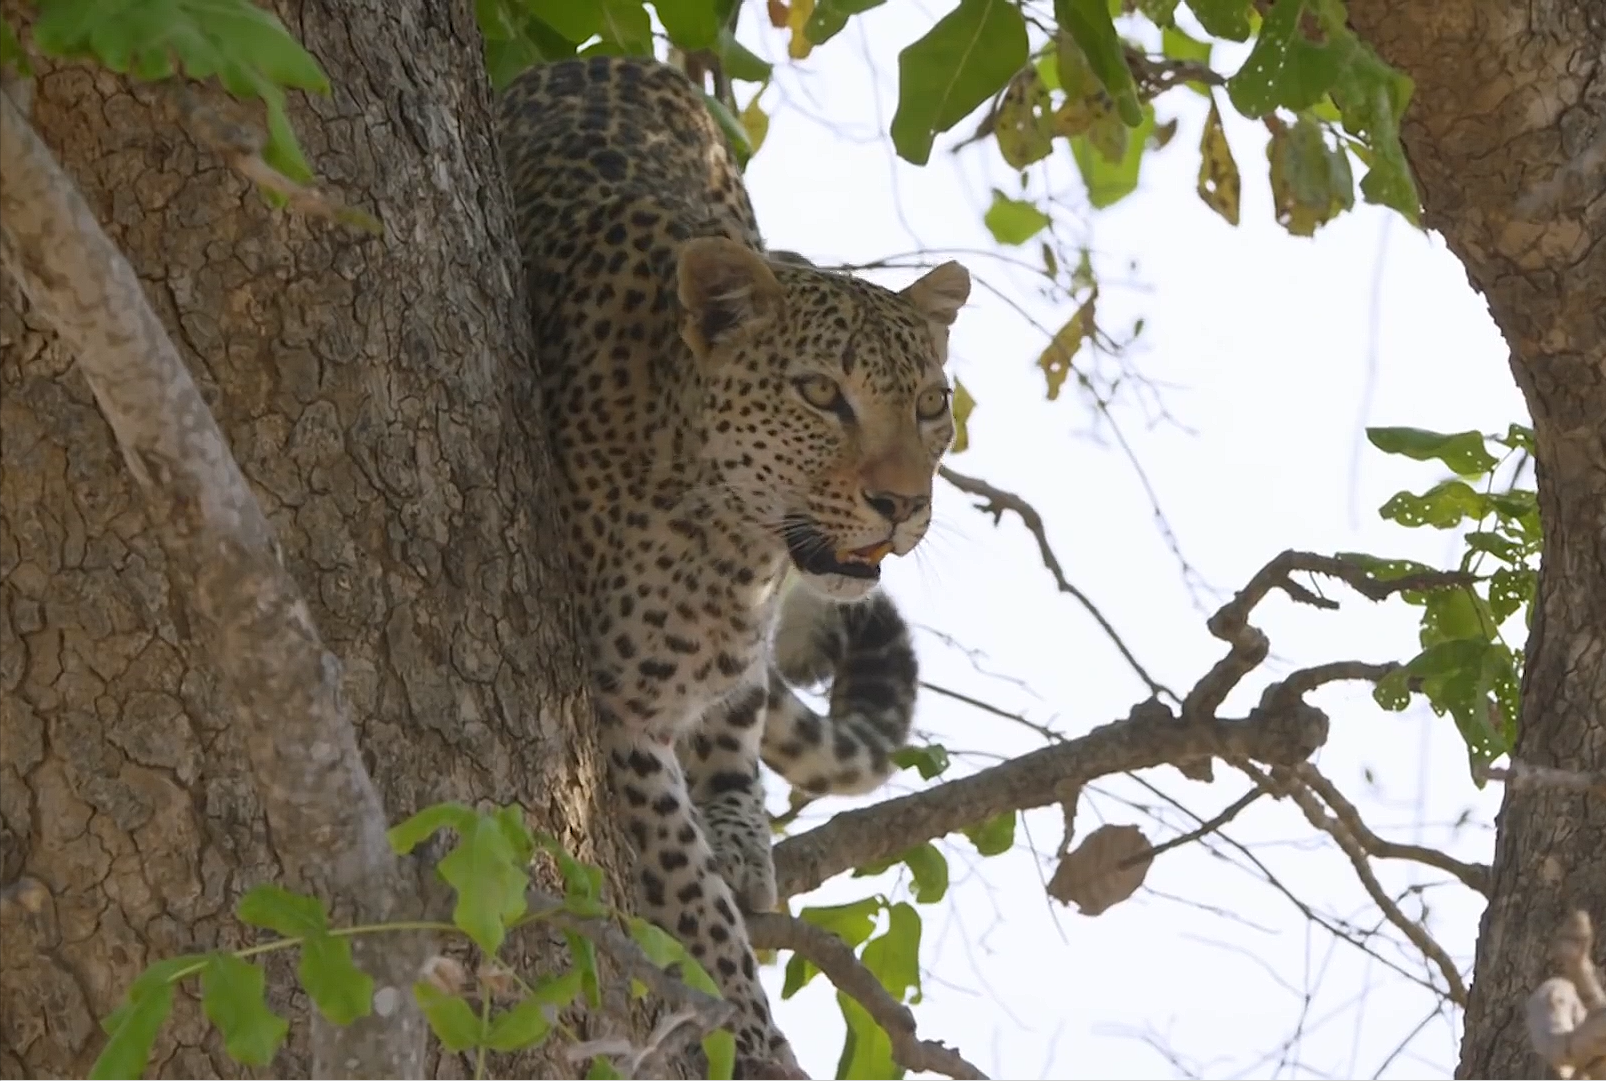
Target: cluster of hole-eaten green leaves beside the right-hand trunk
{"x": 1465, "y": 667}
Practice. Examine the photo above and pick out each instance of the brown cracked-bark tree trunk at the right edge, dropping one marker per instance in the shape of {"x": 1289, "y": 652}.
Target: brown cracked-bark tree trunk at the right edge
{"x": 1507, "y": 134}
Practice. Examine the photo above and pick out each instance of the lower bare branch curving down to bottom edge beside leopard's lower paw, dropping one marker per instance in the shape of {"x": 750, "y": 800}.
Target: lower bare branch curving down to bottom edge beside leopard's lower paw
{"x": 833, "y": 957}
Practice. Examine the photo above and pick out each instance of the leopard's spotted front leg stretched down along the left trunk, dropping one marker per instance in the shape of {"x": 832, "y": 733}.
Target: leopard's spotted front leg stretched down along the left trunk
{"x": 680, "y": 884}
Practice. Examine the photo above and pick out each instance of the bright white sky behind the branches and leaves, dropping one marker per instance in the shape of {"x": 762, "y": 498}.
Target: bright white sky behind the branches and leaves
{"x": 1273, "y": 353}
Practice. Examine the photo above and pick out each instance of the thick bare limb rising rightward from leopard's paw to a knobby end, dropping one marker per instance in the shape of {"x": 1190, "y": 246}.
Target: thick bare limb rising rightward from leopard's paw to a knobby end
{"x": 1151, "y": 736}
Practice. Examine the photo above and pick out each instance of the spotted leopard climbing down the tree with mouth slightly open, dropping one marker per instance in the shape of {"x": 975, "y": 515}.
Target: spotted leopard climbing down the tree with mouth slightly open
{"x": 740, "y": 443}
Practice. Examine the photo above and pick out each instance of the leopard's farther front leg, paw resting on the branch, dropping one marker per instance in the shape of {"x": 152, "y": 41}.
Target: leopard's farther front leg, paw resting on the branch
{"x": 722, "y": 769}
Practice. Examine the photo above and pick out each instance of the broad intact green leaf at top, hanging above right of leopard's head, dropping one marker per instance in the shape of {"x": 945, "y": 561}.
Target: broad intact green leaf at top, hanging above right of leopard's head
{"x": 963, "y": 62}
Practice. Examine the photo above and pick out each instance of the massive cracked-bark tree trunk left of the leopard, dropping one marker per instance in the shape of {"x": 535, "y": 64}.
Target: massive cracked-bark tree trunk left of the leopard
{"x": 378, "y": 396}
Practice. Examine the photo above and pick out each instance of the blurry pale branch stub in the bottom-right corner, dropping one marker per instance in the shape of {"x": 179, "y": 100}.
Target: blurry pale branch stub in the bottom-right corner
{"x": 1567, "y": 1014}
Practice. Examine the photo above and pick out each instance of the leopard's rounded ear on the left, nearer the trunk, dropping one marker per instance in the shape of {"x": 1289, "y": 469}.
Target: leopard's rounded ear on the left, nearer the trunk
{"x": 727, "y": 290}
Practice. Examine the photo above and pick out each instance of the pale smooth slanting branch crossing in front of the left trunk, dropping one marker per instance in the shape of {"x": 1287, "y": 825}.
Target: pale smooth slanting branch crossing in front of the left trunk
{"x": 325, "y": 815}
